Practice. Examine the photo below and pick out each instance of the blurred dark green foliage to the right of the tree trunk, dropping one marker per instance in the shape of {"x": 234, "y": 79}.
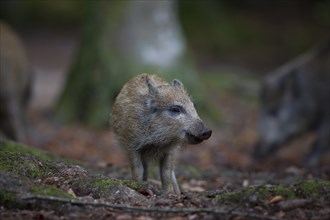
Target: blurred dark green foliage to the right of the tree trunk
{"x": 256, "y": 34}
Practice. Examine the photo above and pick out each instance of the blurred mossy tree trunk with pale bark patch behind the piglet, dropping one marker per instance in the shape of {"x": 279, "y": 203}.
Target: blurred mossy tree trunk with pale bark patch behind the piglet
{"x": 122, "y": 39}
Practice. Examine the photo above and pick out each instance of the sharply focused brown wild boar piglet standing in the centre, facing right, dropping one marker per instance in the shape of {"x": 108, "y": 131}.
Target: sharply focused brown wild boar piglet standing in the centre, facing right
{"x": 152, "y": 120}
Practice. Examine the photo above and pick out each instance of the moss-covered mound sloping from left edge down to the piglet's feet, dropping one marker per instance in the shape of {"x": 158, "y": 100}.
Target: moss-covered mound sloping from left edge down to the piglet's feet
{"x": 28, "y": 172}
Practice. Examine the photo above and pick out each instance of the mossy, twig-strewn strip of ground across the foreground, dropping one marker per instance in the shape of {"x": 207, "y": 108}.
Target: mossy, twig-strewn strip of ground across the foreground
{"x": 28, "y": 173}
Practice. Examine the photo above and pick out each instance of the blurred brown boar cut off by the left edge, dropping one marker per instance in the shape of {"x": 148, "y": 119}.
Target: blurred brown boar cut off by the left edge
{"x": 15, "y": 84}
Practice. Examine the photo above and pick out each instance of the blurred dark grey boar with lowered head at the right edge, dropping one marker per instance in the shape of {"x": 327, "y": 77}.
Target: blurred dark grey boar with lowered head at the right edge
{"x": 294, "y": 100}
